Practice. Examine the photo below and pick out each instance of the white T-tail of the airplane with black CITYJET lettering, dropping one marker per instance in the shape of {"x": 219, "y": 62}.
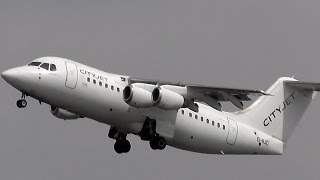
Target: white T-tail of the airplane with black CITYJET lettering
{"x": 278, "y": 113}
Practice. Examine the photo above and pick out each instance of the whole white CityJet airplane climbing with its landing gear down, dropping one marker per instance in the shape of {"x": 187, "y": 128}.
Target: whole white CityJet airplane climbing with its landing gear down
{"x": 187, "y": 117}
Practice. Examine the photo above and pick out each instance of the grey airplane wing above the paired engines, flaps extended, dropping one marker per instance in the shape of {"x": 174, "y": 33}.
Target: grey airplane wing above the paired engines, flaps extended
{"x": 210, "y": 95}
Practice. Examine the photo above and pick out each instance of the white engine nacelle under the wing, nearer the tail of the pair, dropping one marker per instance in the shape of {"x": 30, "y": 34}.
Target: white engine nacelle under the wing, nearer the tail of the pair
{"x": 167, "y": 99}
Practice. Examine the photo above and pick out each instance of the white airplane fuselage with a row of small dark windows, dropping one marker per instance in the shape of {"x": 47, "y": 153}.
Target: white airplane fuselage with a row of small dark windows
{"x": 98, "y": 95}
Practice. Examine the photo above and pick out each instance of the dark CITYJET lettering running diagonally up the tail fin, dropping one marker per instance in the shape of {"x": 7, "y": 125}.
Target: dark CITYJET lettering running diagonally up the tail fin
{"x": 279, "y": 110}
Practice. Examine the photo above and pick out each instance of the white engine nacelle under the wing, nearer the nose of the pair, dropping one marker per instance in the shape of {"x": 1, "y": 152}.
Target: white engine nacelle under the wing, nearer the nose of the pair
{"x": 137, "y": 97}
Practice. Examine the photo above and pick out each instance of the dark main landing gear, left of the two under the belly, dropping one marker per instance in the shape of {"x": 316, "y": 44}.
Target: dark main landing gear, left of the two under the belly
{"x": 122, "y": 145}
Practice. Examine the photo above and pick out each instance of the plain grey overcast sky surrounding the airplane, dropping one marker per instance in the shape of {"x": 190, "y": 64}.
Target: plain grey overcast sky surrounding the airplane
{"x": 245, "y": 44}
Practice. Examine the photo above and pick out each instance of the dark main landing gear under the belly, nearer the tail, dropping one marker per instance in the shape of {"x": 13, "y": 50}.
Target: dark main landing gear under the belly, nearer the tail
{"x": 148, "y": 133}
